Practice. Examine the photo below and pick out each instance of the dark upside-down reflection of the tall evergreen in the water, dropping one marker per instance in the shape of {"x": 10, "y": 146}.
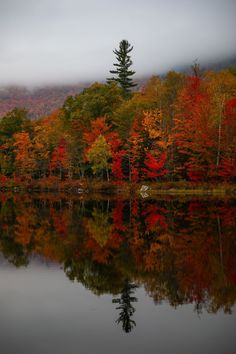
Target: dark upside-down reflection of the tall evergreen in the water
{"x": 125, "y": 306}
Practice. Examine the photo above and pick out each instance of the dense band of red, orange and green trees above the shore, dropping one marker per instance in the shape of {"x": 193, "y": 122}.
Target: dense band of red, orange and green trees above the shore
{"x": 176, "y": 128}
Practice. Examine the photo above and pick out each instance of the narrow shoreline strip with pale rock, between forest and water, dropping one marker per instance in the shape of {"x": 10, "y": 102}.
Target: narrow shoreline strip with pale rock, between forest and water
{"x": 143, "y": 189}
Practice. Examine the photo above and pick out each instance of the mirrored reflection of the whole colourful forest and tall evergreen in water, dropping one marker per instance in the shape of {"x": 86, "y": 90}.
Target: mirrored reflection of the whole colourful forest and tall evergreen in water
{"x": 181, "y": 251}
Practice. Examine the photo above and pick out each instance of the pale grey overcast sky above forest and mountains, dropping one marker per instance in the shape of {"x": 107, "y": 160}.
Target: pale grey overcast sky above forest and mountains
{"x": 63, "y": 41}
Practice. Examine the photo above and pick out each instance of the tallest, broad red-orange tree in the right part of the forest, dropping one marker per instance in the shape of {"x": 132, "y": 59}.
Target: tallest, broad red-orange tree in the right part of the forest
{"x": 194, "y": 131}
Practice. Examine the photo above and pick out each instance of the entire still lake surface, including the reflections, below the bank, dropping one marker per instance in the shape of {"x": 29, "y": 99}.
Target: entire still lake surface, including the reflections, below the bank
{"x": 117, "y": 276}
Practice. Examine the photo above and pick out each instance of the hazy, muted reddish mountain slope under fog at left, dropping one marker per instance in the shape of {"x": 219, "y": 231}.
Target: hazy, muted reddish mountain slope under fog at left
{"x": 38, "y": 102}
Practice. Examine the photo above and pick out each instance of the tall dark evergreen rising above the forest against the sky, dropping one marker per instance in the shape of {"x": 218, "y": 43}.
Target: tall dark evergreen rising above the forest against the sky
{"x": 123, "y": 73}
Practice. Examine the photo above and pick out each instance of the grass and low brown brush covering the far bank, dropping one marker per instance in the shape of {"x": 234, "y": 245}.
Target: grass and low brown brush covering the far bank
{"x": 54, "y": 184}
